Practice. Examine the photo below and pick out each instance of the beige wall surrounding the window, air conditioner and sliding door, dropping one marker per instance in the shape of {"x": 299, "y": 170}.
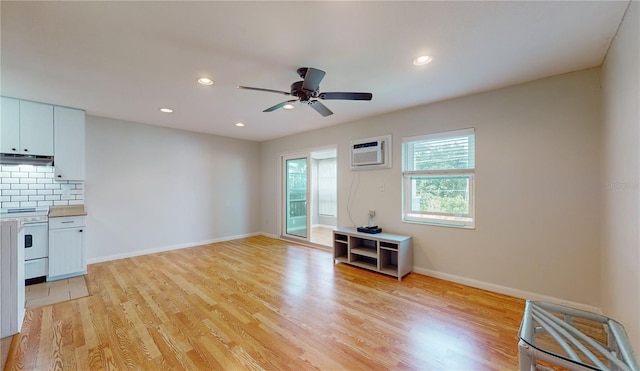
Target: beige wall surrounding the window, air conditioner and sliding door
{"x": 537, "y": 186}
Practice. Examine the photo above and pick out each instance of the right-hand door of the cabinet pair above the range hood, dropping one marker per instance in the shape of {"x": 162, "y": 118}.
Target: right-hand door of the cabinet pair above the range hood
{"x": 36, "y": 128}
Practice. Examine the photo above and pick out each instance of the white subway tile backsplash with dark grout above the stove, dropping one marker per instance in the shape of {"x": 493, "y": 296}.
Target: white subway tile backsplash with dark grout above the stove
{"x": 31, "y": 186}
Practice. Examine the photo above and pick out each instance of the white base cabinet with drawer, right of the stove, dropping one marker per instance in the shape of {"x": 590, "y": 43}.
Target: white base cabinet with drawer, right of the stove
{"x": 67, "y": 247}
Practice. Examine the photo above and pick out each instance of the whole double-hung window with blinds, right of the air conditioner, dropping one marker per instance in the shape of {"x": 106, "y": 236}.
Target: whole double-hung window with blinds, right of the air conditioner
{"x": 438, "y": 178}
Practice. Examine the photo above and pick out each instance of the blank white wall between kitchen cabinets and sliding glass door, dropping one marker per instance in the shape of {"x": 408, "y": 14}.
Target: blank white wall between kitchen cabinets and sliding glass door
{"x": 150, "y": 188}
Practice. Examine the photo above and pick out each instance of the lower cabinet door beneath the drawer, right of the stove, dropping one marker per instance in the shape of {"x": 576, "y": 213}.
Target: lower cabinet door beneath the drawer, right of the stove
{"x": 67, "y": 251}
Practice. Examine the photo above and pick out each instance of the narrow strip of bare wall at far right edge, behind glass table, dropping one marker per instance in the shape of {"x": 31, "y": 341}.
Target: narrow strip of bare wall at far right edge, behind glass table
{"x": 620, "y": 286}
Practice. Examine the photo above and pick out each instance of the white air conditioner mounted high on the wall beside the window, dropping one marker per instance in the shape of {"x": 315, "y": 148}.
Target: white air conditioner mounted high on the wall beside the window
{"x": 370, "y": 153}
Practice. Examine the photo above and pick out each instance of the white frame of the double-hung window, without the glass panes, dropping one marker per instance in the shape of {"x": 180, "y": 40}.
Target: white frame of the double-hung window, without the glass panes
{"x": 436, "y": 218}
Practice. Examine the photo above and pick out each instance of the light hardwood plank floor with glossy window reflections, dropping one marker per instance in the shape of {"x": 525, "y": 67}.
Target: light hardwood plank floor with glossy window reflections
{"x": 261, "y": 303}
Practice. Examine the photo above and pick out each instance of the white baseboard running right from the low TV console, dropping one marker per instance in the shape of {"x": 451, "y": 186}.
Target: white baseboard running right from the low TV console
{"x": 506, "y": 290}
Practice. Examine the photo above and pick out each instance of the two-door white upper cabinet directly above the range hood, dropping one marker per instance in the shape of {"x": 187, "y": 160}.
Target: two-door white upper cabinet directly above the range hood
{"x": 27, "y": 127}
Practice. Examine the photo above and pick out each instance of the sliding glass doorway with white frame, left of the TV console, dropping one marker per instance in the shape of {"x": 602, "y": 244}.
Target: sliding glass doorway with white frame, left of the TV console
{"x": 310, "y": 210}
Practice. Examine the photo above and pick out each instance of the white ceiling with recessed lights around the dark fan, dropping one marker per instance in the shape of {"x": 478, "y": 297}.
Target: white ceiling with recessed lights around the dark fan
{"x": 125, "y": 60}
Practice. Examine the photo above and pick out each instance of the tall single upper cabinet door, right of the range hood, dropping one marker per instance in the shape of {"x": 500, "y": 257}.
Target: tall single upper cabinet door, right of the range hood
{"x": 69, "y": 128}
